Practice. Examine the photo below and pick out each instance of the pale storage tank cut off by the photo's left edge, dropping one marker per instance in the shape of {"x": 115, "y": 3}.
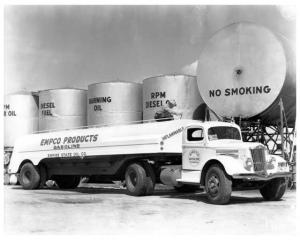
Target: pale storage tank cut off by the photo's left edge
{"x": 20, "y": 116}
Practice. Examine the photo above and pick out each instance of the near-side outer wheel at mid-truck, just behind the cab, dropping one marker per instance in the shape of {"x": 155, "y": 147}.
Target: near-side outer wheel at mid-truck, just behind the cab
{"x": 137, "y": 183}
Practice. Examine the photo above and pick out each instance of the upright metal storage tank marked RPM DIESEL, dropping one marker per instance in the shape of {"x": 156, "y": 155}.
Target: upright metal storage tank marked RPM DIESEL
{"x": 172, "y": 97}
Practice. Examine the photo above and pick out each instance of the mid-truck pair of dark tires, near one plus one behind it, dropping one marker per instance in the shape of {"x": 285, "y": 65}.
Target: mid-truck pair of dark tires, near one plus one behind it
{"x": 139, "y": 179}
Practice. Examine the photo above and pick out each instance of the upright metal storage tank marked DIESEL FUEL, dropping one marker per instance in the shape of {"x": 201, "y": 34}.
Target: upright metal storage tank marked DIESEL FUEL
{"x": 62, "y": 109}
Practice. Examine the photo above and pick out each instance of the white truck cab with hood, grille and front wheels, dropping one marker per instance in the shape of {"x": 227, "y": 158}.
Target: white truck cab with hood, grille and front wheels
{"x": 215, "y": 156}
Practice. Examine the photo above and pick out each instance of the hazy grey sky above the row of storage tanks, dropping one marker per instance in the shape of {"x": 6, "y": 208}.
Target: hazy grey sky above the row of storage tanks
{"x": 73, "y": 46}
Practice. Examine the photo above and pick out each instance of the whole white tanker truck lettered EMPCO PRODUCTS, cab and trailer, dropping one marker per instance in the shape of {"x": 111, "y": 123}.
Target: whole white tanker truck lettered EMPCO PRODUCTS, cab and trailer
{"x": 186, "y": 154}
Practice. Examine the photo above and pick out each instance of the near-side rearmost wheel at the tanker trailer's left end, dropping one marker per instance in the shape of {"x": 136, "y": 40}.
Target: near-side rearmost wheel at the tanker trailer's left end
{"x": 29, "y": 176}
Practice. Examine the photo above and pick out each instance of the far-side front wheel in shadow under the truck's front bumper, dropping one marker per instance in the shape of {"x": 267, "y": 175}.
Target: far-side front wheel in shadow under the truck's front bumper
{"x": 274, "y": 189}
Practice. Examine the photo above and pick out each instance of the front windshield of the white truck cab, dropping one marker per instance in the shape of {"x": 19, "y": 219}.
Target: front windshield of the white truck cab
{"x": 217, "y": 133}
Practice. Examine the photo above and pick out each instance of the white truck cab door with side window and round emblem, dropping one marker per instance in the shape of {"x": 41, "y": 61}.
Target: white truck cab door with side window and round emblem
{"x": 193, "y": 145}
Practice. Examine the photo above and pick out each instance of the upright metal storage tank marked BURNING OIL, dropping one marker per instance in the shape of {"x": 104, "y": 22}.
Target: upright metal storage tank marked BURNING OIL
{"x": 117, "y": 102}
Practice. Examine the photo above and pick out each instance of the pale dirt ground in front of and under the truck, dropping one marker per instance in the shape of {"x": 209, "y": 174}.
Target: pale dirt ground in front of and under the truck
{"x": 106, "y": 209}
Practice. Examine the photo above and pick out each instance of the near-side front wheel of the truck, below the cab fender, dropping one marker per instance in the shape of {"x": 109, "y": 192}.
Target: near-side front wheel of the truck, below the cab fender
{"x": 217, "y": 185}
